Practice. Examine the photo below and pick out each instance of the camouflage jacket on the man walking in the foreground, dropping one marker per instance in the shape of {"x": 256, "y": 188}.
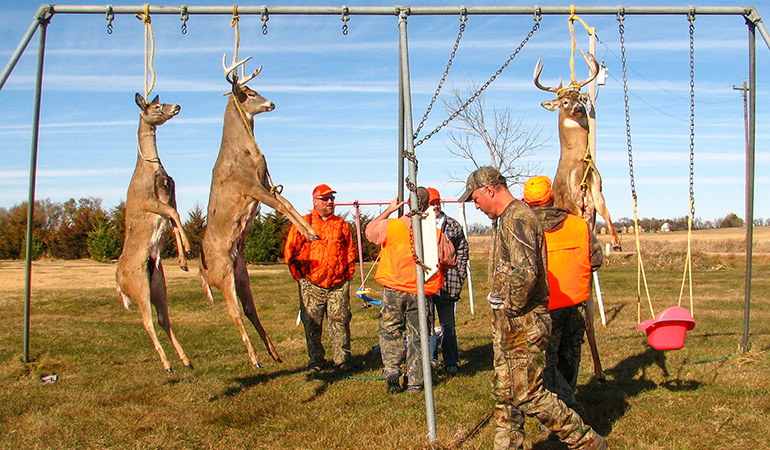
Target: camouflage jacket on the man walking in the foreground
{"x": 517, "y": 272}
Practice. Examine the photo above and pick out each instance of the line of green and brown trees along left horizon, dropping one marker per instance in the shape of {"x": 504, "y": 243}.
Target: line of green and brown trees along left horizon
{"x": 85, "y": 229}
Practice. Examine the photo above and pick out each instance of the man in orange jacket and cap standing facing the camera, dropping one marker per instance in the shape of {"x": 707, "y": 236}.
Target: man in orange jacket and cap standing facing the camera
{"x": 323, "y": 268}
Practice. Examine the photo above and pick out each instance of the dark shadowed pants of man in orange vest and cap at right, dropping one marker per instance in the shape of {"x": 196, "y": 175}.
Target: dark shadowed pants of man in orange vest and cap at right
{"x": 568, "y": 328}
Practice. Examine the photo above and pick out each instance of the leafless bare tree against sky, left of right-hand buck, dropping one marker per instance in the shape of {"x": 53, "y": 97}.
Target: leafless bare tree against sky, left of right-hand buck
{"x": 506, "y": 144}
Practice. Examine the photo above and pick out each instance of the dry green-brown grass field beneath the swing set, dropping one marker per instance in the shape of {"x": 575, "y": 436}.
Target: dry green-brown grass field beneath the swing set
{"x": 112, "y": 393}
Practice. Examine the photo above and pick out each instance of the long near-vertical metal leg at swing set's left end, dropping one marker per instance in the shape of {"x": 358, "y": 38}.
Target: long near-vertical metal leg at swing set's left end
{"x": 43, "y": 21}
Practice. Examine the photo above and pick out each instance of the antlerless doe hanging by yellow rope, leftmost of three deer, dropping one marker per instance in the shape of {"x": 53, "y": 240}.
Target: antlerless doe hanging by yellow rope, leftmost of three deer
{"x": 150, "y": 205}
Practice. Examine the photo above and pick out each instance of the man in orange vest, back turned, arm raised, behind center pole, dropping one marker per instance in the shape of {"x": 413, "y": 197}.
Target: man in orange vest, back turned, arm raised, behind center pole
{"x": 397, "y": 272}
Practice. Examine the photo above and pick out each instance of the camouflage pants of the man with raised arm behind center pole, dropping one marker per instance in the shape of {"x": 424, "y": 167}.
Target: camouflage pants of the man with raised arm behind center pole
{"x": 398, "y": 316}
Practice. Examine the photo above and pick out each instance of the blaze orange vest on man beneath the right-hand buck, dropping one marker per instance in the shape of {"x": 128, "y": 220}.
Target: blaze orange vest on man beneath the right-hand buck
{"x": 569, "y": 263}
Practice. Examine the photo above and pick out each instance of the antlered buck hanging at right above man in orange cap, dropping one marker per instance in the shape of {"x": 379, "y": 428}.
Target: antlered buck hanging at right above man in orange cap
{"x": 577, "y": 185}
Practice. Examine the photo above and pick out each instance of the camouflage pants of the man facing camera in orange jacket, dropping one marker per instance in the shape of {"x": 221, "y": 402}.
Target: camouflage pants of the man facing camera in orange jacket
{"x": 334, "y": 303}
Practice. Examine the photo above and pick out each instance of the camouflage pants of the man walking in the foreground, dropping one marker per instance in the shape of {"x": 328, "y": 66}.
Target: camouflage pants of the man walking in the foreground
{"x": 519, "y": 345}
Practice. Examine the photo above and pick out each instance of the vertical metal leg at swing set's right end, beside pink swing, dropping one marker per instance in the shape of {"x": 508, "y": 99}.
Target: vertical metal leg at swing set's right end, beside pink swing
{"x": 750, "y": 182}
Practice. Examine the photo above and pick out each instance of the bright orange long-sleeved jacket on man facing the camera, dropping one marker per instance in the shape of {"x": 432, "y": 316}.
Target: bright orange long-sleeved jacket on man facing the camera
{"x": 325, "y": 262}
